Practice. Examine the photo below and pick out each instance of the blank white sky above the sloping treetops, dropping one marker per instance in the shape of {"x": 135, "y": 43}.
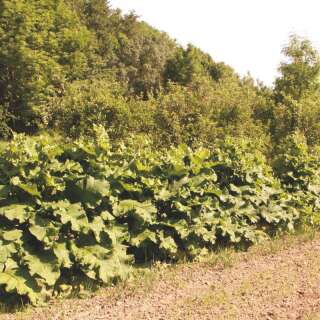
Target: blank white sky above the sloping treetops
{"x": 246, "y": 34}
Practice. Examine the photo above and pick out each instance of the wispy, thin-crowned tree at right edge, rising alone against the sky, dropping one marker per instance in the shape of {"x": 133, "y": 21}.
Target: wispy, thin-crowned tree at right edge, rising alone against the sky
{"x": 296, "y": 92}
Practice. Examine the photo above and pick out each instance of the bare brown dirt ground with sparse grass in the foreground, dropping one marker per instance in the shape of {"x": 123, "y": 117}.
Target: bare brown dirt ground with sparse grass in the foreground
{"x": 266, "y": 283}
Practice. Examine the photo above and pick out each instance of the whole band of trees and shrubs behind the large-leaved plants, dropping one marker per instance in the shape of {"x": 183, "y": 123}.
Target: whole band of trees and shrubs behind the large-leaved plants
{"x": 69, "y": 64}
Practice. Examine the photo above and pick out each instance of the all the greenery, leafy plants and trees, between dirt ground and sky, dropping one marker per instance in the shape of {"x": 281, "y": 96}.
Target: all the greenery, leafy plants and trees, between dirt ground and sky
{"x": 158, "y": 152}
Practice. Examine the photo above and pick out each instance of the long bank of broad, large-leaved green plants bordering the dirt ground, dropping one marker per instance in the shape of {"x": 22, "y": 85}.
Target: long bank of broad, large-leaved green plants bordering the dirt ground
{"x": 82, "y": 212}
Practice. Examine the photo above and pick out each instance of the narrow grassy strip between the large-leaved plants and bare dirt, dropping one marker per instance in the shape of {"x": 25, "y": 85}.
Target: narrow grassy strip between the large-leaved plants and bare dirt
{"x": 144, "y": 277}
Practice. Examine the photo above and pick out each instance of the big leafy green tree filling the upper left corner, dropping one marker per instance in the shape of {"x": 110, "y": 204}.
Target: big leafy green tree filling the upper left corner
{"x": 42, "y": 45}
